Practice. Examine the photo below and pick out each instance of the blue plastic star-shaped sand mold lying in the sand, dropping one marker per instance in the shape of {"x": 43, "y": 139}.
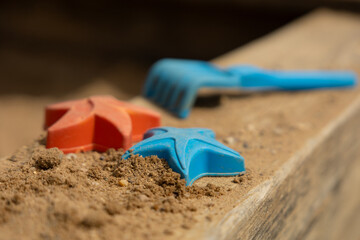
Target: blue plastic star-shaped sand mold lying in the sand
{"x": 192, "y": 152}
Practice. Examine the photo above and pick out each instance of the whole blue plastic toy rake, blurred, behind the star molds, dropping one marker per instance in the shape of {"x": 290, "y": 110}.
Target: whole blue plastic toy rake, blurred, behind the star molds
{"x": 174, "y": 83}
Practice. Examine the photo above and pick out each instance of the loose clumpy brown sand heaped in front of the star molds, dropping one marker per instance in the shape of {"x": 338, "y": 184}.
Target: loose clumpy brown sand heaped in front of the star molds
{"x": 45, "y": 194}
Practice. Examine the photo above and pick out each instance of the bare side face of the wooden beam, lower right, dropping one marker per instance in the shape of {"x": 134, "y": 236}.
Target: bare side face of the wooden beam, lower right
{"x": 316, "y": 185}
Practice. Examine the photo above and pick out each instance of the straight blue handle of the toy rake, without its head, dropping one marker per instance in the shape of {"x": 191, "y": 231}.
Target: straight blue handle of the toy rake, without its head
{"x": 252, "y": 77}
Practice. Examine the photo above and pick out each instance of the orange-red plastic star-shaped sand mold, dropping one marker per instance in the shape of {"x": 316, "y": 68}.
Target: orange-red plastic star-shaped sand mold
{"x": 96, "y": 123}
